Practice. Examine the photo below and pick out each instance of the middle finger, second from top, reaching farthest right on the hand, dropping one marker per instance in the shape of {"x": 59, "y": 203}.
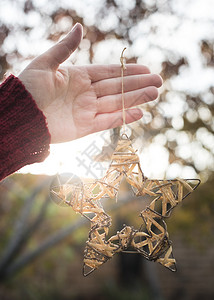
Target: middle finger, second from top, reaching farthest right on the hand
{"x": 113, "y": 86}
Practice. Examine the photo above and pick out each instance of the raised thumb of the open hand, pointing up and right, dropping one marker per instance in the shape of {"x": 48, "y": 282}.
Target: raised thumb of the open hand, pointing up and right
{"x": 63, "y": 49}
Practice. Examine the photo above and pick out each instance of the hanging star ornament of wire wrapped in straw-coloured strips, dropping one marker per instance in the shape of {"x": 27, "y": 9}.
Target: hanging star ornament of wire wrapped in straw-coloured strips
{"x": 151, "y": 240}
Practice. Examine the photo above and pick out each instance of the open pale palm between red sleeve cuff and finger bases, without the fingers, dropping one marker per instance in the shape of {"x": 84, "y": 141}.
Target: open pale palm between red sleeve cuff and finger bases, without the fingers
{"x": 66, "y": 98}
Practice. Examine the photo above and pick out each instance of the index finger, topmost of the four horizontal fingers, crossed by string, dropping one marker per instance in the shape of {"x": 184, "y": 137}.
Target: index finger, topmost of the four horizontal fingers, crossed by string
{"x": 101, "y": 72}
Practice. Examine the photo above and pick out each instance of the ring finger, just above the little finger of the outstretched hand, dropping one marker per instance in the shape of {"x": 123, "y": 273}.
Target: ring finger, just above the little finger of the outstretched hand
{"x": 113, "y": 103}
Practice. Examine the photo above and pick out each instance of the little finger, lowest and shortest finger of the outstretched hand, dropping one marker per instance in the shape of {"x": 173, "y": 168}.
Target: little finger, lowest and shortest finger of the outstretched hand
{"x": 115, "y": 119}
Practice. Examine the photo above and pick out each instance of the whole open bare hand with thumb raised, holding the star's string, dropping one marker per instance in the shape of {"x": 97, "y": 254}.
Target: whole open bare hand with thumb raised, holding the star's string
{"x": 79, "y": 100}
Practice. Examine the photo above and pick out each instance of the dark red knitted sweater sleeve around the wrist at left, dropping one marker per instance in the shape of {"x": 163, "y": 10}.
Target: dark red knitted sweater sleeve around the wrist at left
{"x": 24, "y": 136}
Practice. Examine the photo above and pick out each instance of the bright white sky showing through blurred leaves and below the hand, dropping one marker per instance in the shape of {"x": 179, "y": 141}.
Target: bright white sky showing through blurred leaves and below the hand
{"x": 197, "y": 22}
